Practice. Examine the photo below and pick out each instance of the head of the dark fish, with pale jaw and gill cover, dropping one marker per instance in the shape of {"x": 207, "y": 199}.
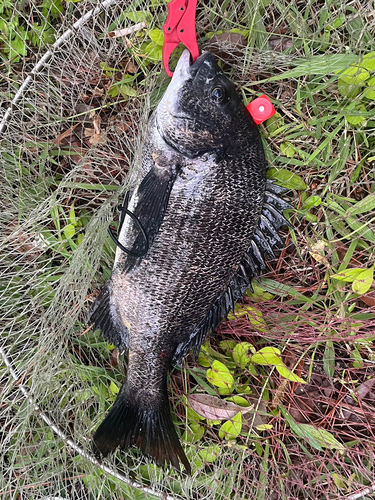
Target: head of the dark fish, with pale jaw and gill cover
{"x": 200, "y": 111}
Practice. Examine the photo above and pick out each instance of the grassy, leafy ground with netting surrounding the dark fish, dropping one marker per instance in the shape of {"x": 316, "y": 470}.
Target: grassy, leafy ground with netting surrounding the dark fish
{"x": 69, "y": 139}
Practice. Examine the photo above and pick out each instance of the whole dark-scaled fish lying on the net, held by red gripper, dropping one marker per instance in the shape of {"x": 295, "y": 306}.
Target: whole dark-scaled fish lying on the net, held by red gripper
{"x": 209, "y": 217}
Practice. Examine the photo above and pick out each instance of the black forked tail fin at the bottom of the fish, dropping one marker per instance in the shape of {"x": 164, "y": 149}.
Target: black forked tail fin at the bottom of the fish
{"x": 150, "y": 428}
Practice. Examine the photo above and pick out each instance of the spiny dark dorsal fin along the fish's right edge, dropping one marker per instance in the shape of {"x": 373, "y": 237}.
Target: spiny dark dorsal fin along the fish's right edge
{"x": 265, "y": 238}
